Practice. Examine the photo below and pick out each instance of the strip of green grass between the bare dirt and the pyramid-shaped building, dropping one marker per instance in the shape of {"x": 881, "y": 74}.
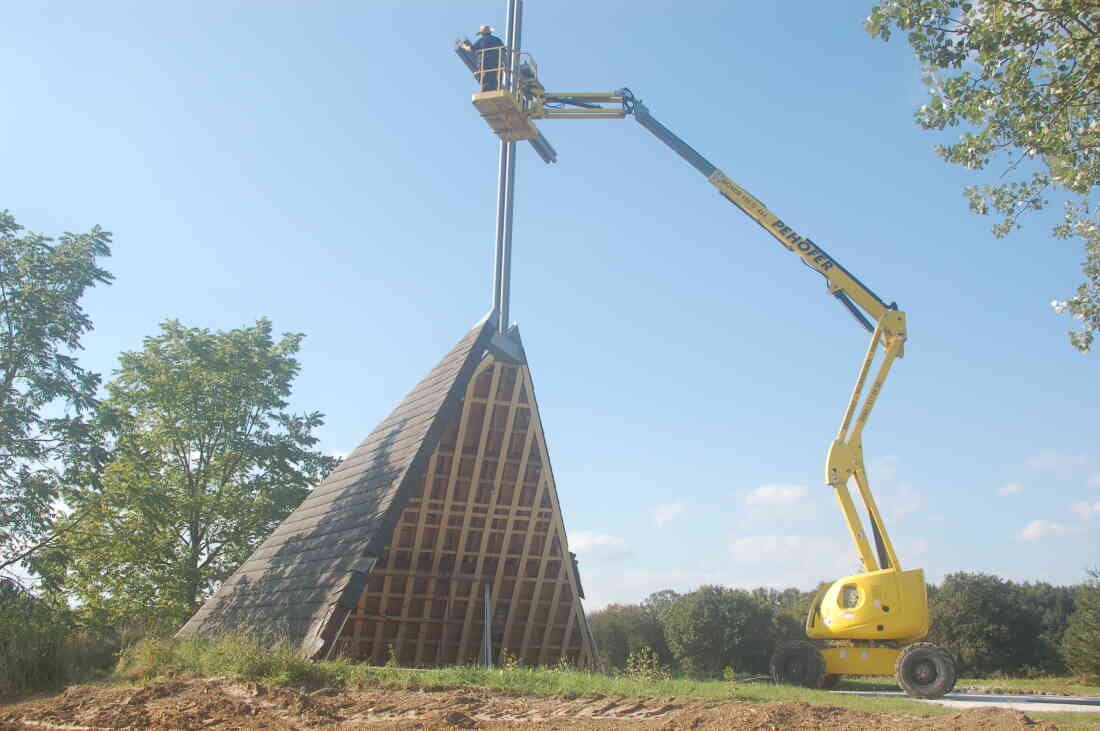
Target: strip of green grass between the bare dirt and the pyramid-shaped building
{"x": 244, "y": 658}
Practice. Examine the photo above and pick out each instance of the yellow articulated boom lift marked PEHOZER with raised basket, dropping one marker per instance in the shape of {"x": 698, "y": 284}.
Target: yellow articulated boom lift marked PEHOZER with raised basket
{"x": 868, "y": 624}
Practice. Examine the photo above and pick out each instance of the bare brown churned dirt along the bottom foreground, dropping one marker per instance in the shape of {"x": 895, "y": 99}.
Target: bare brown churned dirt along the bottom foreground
{"x": 229, "y": 704}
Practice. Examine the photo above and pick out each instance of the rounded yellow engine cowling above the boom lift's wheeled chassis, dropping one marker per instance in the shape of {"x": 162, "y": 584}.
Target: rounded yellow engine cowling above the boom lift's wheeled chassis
{"x": 884, "y": 605}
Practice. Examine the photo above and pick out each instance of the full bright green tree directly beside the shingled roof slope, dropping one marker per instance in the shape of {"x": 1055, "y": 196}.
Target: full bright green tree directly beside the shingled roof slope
{"x": 206, "y": 462}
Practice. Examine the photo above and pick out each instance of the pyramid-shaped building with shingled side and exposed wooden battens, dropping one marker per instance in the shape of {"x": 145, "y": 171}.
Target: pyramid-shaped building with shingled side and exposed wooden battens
{"x": 448, "y": 505}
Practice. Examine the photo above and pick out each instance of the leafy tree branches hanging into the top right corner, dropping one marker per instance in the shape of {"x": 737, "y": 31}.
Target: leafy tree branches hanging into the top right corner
{"x": 1022, "y": 77}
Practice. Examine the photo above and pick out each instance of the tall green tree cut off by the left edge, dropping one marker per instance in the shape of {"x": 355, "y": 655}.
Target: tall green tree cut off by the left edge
{"x": 47, "y": 400}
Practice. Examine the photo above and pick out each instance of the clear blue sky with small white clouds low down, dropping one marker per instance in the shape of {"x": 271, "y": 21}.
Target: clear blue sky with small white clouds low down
{"x": 321, "y": 164}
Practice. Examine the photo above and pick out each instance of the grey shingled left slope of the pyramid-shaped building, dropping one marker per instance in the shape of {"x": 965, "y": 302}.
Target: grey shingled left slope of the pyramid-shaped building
{"x": 307, "y": 577}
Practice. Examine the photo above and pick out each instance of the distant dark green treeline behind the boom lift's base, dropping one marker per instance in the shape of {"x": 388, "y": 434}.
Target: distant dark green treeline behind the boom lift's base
{"x": 992, "y": 626}
